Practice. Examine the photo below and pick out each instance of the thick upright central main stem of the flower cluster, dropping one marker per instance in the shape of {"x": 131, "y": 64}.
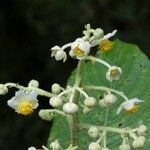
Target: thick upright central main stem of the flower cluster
{"x": 73, "y": 121}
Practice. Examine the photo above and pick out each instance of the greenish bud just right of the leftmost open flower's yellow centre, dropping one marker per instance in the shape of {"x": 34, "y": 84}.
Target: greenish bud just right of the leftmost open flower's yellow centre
{"x": 46, "y": 115}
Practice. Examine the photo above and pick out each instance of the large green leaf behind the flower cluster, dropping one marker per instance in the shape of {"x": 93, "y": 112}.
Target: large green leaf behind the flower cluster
{"x": 134, "y": 83}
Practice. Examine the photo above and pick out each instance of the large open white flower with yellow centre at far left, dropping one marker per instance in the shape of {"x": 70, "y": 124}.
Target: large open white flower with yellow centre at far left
{"x": 24, "y": 103}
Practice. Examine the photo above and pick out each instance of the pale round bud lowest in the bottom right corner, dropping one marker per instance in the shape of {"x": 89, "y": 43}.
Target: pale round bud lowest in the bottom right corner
{"x": 139, "y": 142}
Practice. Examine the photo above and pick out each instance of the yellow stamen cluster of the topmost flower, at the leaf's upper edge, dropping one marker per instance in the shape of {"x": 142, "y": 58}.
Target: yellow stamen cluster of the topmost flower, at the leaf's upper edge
{"x": 105, "y": 45}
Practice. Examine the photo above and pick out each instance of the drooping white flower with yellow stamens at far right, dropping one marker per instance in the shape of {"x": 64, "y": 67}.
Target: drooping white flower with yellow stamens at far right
{"x": 130, "y": 106}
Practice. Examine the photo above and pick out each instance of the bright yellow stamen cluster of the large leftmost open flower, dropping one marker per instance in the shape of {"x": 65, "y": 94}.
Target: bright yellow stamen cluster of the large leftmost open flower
{"x": 25, "y": 108}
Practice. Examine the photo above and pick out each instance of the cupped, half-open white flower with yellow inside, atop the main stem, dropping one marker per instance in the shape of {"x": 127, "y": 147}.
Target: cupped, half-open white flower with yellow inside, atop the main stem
{"x": 79, "y": 49}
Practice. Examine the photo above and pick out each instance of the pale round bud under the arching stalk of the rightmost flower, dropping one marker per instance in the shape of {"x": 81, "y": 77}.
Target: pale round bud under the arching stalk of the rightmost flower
{"x": 110, "y": 99}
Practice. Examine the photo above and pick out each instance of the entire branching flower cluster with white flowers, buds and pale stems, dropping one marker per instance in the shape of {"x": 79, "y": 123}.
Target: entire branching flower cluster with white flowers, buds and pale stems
{"x": 65, "y": 104}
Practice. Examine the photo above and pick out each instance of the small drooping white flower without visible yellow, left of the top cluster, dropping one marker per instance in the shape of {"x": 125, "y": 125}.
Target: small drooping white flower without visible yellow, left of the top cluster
{"x": 58, "y": 53}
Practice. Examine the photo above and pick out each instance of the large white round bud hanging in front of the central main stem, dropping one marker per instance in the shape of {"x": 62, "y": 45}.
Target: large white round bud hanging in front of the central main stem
{"x": 70, "y": 108}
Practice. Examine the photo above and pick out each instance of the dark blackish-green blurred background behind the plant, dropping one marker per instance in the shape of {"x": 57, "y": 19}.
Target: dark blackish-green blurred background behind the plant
{"x": 29, "y": 28}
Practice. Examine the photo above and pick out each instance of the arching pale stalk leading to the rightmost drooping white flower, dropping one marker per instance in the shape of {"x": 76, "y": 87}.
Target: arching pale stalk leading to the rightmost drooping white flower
{"x": 101, "y": 88}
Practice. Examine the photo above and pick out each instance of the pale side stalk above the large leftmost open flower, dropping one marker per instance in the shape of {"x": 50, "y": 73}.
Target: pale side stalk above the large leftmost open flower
{"x": 29, "y": 89}
